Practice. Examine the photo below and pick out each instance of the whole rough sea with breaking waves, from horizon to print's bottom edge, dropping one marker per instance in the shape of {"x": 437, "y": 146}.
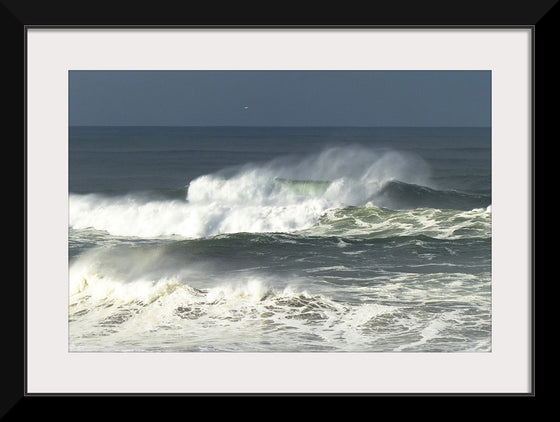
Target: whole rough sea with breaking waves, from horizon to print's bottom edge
{"x": 279, "y": 239}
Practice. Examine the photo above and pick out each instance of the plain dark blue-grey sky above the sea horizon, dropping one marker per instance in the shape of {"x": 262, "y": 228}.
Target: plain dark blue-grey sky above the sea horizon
{"x": 280, "y": 98}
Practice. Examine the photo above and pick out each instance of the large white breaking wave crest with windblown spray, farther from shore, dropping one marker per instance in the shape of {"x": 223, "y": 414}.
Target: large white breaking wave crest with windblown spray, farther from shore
{"x": 252, "y": 200}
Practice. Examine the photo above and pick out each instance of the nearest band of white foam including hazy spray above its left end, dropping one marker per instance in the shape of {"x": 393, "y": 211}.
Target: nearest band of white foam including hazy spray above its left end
{"x": 133, "y": 298}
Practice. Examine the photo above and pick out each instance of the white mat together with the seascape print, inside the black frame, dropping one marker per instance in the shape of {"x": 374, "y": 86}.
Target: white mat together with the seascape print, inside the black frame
{"x": 279, "y": 210}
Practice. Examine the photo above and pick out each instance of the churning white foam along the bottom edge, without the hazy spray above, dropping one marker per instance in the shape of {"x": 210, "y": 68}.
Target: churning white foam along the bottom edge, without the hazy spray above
{"x": 247, "y": 315}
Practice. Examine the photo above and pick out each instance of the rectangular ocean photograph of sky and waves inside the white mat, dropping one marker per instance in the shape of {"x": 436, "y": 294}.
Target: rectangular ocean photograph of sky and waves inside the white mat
{"x": 279, "y": 211}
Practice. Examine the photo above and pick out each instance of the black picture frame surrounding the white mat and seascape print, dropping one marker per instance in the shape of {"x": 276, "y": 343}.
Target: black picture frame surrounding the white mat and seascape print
{"x": 19, "y": 15}
